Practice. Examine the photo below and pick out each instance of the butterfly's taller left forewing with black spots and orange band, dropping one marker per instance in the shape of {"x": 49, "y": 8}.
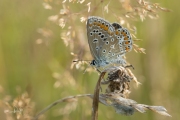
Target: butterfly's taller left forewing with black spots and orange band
{"x": 98, "y": 31}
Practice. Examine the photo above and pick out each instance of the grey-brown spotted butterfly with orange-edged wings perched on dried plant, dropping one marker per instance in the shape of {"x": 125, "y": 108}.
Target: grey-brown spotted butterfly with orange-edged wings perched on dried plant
{"x": 108, "y": 42}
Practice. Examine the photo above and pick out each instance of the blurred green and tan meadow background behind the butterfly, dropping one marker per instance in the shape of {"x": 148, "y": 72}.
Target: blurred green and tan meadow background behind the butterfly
{"x": 41, "y": 64}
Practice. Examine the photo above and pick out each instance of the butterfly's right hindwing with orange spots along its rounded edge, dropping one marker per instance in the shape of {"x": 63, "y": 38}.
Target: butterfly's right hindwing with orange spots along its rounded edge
{"x": 119, "y": 44}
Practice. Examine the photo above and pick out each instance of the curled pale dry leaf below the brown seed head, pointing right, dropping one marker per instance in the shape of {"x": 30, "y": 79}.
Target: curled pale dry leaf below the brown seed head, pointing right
{"x": 127, "y": 106}
